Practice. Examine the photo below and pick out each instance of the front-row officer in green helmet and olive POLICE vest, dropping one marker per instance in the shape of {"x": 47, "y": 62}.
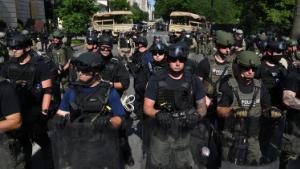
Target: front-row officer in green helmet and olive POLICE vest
{"x": 243, "y": 103}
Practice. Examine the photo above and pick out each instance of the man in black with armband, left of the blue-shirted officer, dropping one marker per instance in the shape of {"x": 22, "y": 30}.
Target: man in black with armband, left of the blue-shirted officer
{"x": 31, "y": 77}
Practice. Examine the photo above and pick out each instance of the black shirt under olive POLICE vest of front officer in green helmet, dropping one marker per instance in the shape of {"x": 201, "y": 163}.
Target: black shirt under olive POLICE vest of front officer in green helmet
{"x": 228, "y": 96}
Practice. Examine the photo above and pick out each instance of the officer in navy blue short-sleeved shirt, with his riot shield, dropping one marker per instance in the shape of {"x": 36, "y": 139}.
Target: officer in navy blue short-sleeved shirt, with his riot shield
{"x": 90, "y": 114}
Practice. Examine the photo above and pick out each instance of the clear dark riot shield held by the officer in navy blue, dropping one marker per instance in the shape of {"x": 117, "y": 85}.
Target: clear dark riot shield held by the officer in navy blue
{"x": 78, "y": 145}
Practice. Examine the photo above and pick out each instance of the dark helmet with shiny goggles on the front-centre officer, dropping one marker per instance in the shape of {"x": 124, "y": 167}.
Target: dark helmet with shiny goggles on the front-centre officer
{"x": 177, "y": 51}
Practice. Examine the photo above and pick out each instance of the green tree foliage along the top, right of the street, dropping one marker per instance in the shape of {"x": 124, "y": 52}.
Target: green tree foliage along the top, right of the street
{"x": 250, "y": 14}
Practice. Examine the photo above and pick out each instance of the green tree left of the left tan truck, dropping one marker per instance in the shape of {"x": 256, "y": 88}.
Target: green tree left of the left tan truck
{"x": 76, "y": 14}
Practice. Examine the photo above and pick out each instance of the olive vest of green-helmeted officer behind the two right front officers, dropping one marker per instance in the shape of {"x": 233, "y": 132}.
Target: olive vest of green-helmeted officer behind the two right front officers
{"x": 217, "y": 72}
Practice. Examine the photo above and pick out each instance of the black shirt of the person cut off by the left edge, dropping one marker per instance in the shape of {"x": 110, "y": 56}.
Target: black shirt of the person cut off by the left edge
{"x": 9, "y": 103}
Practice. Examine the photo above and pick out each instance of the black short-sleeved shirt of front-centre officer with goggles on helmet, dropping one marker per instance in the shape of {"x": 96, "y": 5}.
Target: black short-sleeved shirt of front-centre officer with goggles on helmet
{"x": 151, "y": 90}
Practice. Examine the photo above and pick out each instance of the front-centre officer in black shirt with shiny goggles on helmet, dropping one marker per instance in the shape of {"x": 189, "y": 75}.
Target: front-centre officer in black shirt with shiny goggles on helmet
{"x": 174, "y": 99}
